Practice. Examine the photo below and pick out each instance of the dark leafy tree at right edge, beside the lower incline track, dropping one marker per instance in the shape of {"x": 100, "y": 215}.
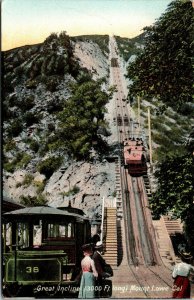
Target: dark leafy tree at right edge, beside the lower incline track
{"x": 175, "y": 178}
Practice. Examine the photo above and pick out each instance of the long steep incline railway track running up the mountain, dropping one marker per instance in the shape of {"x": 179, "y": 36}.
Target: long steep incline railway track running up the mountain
{"x": 148, "y": 277}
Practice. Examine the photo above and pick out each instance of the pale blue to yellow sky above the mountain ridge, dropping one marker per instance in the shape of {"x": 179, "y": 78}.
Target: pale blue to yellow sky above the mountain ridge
{"x": 31, "y": 21}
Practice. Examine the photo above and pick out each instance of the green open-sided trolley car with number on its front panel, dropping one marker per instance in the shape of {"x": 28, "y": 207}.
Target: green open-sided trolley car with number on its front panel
{"x": 42, "y": 245}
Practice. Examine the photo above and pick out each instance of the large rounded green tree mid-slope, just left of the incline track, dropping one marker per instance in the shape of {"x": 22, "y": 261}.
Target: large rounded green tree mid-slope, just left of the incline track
{"x": 81, "y": 116}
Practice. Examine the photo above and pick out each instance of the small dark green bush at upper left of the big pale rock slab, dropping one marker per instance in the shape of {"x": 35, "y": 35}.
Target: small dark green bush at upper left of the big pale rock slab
{"x": 49, "y": 165}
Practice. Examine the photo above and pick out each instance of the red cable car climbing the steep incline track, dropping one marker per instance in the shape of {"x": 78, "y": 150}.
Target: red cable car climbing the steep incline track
{"x": 135, "y": 157}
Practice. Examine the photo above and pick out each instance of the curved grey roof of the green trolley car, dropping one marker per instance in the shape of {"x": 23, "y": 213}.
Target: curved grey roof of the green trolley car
{"x": 43, "y": 211}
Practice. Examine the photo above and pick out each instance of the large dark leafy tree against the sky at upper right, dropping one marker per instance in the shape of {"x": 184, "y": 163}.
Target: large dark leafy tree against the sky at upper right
{"x": 164, "y": 69}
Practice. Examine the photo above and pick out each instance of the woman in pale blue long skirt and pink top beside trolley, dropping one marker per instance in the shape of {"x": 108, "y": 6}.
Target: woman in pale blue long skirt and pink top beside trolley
{"x": 89, "y": 274}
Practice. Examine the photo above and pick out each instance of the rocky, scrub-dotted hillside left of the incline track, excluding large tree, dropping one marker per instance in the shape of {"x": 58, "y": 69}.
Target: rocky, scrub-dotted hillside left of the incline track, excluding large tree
{"x": 37, "y": 82}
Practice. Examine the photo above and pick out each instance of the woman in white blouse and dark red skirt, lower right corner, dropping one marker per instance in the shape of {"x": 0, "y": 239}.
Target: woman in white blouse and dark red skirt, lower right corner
{"x": 181, "y": 287}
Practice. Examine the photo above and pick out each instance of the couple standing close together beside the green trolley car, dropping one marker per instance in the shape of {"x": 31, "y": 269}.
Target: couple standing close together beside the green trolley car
{"x": 93, "y": 271}
